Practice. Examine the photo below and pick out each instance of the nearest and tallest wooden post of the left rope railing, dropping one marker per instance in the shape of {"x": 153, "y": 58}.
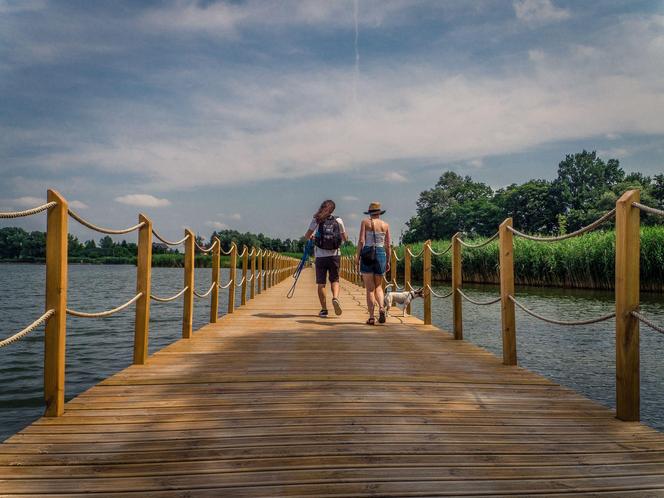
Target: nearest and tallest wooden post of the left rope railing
{"x": 56, "y": 299}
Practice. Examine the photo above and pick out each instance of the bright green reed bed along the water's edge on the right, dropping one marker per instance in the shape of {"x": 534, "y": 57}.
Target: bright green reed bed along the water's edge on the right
{"x": 587, "y": 261}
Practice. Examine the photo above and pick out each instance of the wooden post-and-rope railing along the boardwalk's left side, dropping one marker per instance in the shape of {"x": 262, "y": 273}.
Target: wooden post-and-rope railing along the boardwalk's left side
{"x": 56, "y": 310}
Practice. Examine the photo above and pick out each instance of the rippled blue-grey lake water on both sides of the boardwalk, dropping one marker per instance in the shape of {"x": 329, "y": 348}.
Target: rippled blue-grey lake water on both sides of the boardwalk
{"x": 578, "y": 357}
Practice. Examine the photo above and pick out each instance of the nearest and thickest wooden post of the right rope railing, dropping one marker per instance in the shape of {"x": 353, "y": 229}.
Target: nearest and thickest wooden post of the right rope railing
{"x": 628, "y": 250}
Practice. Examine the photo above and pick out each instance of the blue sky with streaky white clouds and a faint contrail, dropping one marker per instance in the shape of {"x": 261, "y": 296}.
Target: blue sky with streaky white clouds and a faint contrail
{"x": 248, "y": 114}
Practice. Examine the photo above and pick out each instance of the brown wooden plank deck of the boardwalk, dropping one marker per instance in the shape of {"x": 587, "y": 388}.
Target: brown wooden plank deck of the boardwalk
{"x": 272, "y": 401}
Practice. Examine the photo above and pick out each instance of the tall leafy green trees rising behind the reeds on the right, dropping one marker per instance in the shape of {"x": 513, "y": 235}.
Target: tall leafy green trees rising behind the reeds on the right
{"x": 585, "y": 188}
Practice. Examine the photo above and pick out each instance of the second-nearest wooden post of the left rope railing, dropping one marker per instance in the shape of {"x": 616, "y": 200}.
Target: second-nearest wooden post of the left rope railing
{"x": 143, "y": 285}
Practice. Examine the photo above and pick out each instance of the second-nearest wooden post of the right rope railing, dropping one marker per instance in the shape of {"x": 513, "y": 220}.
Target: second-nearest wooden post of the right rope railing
{"x": 507, "y": 315}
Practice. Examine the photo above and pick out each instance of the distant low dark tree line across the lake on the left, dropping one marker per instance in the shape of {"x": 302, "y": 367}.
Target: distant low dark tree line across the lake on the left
{"x": 21, "y": 245}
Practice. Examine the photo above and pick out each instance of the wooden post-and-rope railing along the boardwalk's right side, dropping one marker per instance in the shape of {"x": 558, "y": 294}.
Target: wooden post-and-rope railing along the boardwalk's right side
{"x": 627, "y": 312}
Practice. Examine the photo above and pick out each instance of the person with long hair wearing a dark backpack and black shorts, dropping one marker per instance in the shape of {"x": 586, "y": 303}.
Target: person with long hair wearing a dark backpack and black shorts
{"x": 328, "y": 233}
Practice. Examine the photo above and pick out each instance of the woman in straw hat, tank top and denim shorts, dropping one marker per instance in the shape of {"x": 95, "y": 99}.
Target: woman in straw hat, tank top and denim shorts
{"x": 373, "y": 259}
